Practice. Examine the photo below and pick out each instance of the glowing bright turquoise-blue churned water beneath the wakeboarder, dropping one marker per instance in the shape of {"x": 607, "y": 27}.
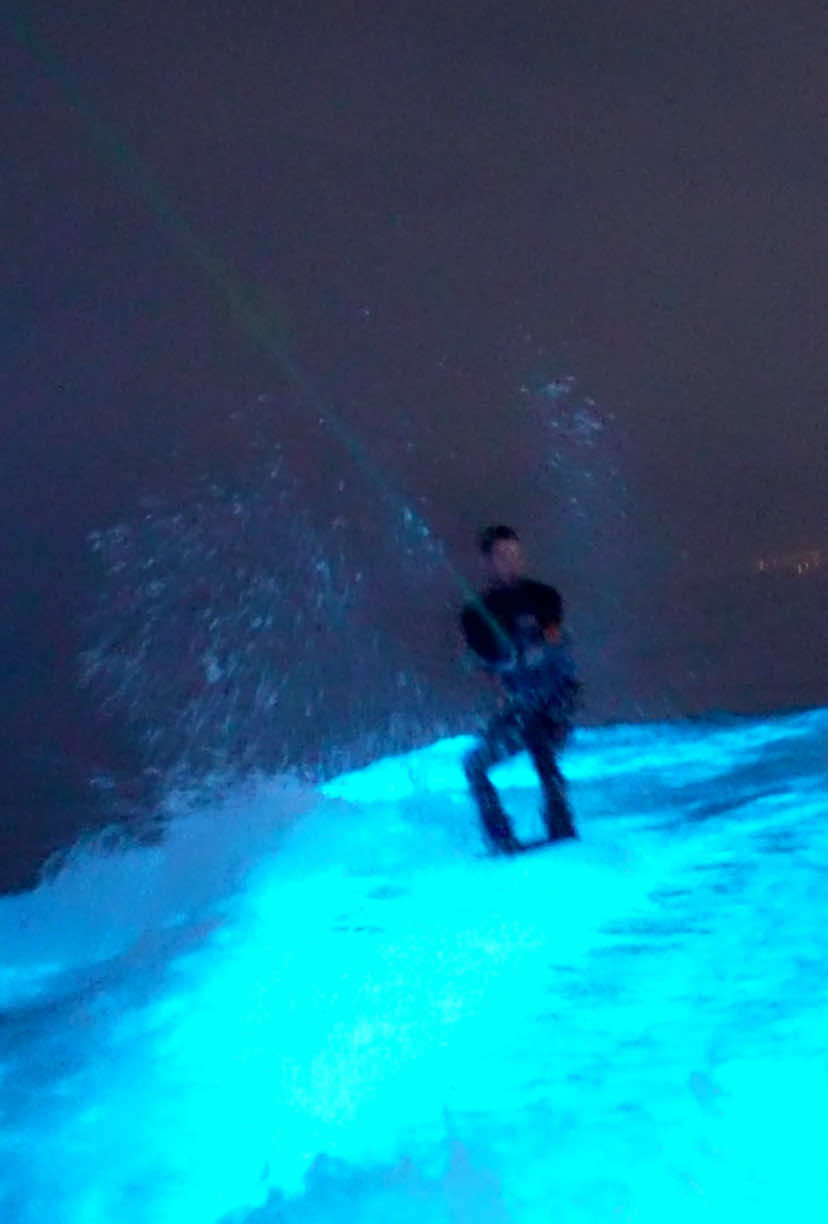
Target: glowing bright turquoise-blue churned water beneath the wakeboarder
{"x": 317, "y": 1007}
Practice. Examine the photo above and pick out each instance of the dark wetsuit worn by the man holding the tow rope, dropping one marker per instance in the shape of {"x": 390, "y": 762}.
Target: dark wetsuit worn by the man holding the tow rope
{"x": 541, "y": 682}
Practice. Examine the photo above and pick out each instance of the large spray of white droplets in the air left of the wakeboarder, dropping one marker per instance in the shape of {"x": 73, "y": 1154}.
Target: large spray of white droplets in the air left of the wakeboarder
{"x": 243, "y": 630}
